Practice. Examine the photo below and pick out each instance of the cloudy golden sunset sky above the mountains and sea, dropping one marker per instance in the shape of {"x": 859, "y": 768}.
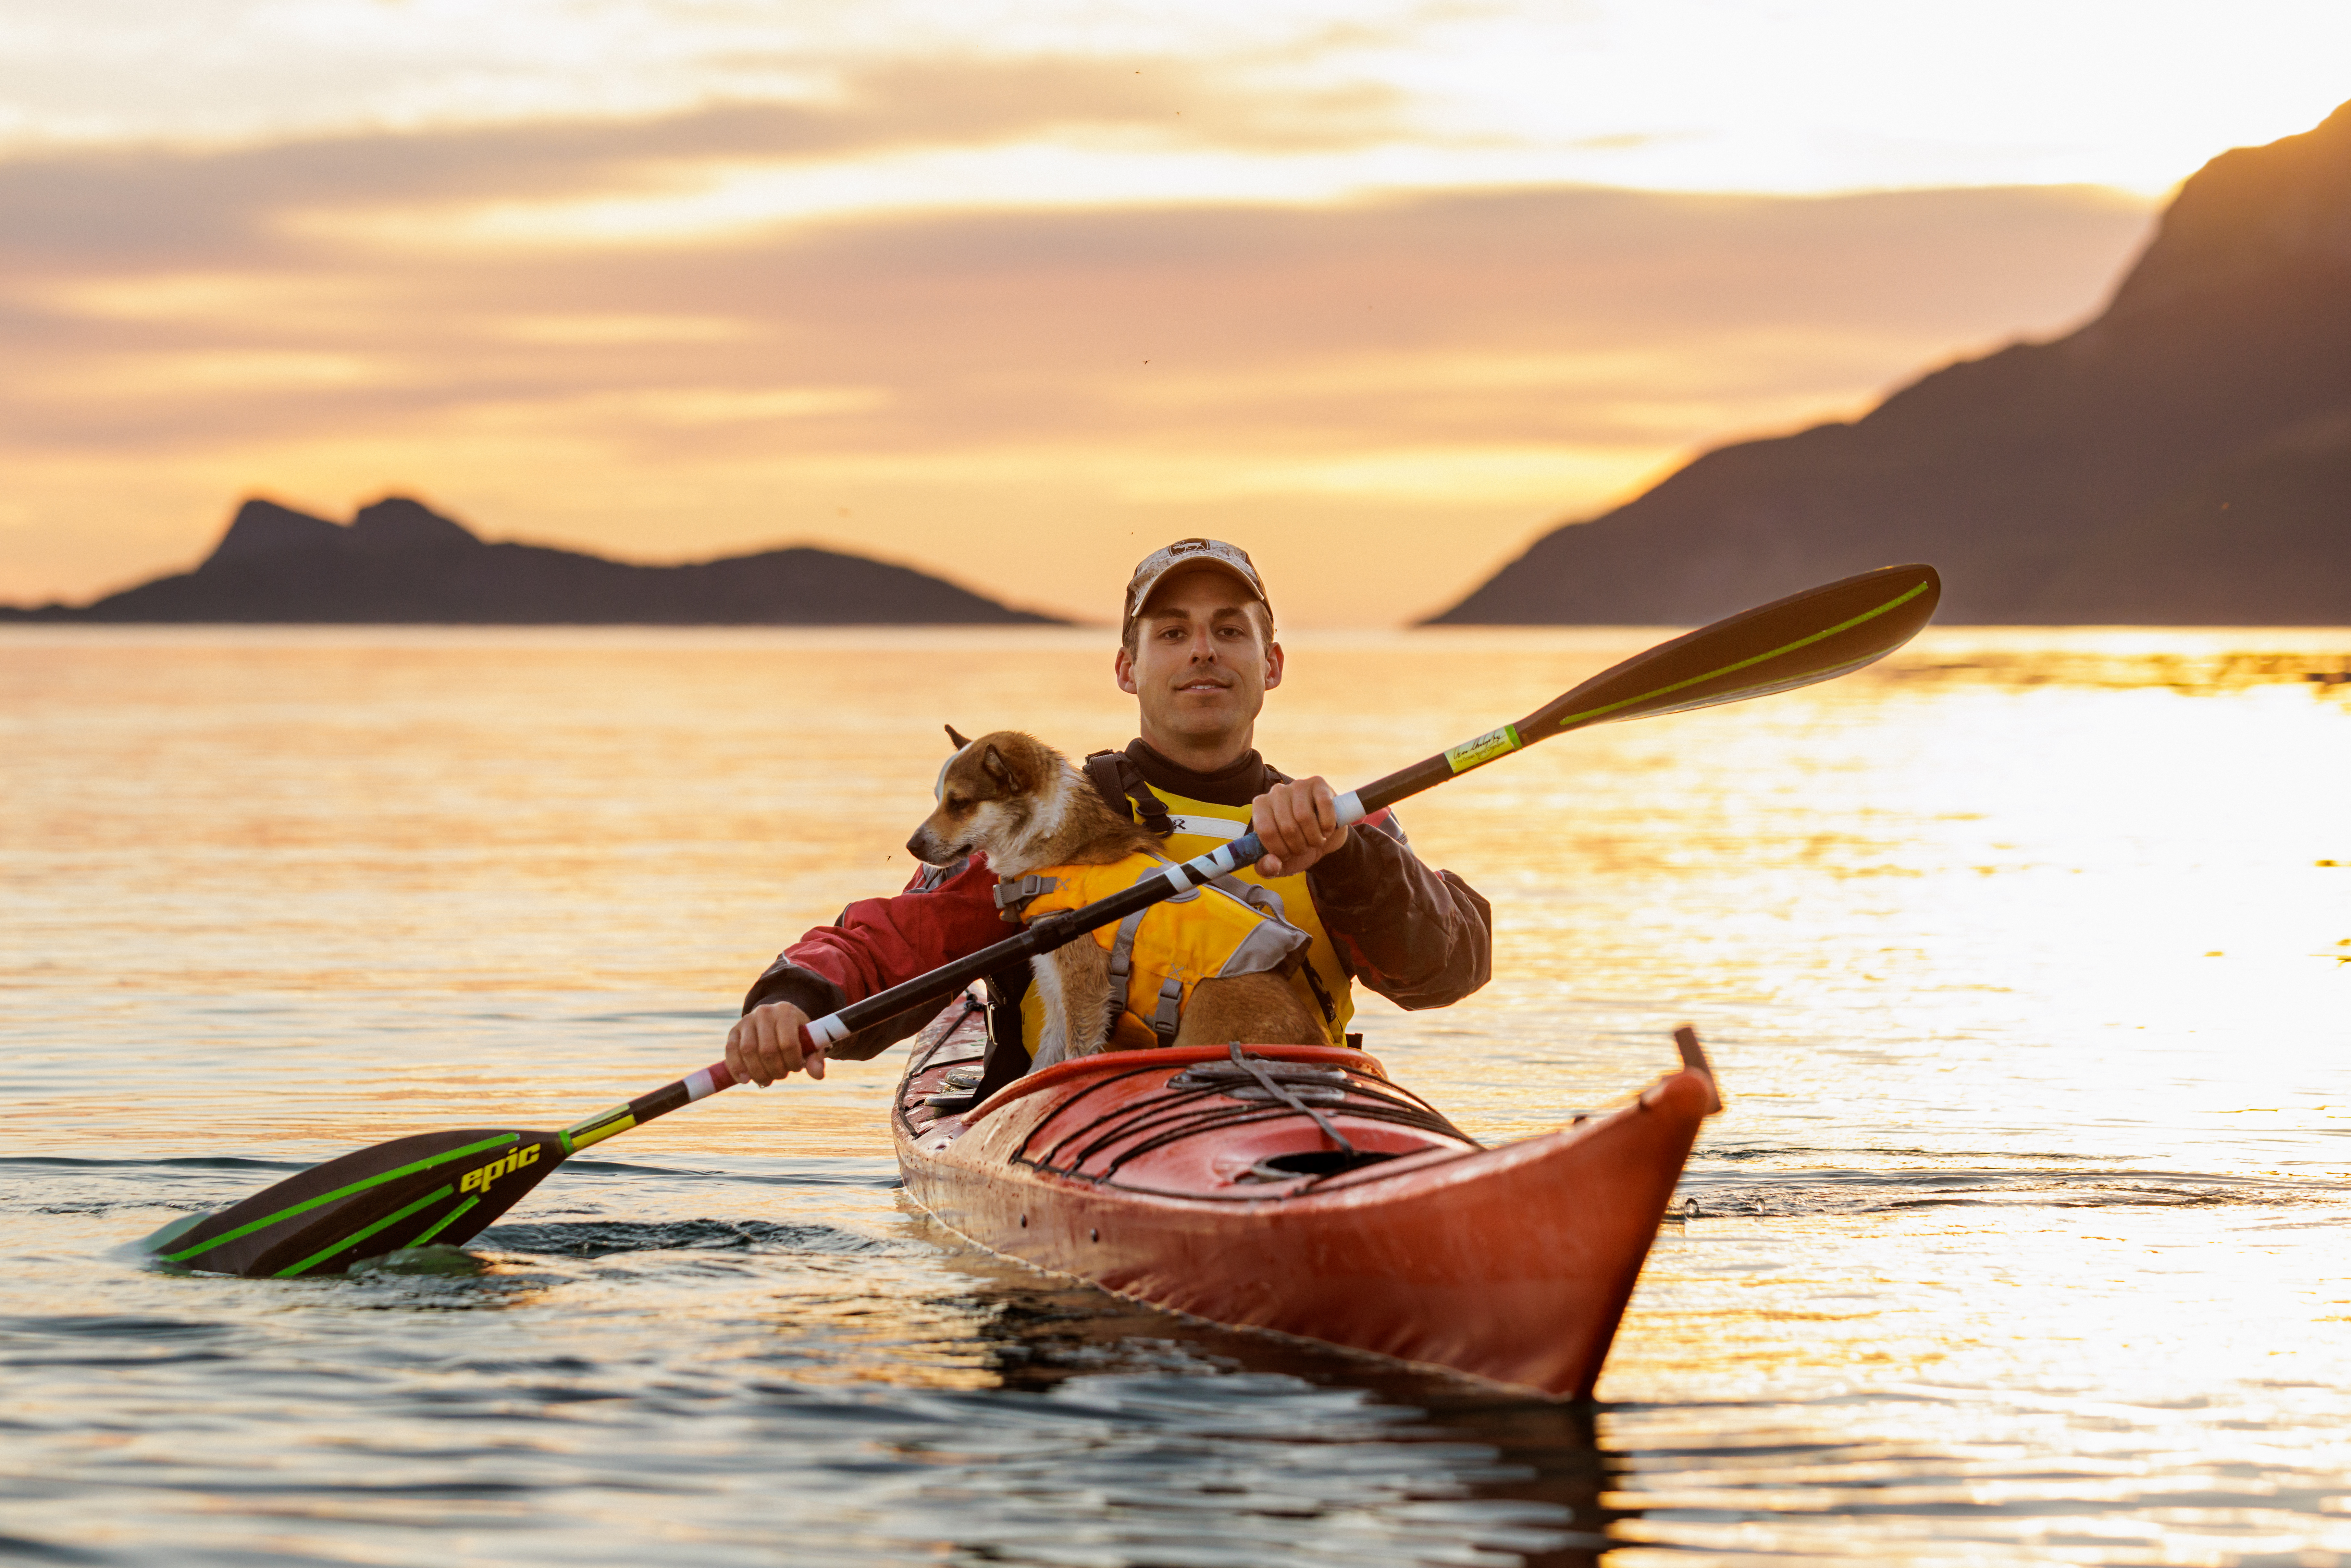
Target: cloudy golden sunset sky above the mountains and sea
{"x": 1022, "y": 293}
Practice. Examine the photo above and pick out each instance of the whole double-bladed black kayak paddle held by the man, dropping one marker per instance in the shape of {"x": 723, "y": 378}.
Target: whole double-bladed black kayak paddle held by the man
{"x": 446, "y": 1188}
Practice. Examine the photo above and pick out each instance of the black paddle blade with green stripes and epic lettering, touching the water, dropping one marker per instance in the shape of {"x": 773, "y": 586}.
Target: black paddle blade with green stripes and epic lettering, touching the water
{"x": 434, "y": 1188}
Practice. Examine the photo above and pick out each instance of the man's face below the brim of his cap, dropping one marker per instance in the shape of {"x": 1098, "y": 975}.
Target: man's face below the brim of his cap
{"x": 1198, "y": 666}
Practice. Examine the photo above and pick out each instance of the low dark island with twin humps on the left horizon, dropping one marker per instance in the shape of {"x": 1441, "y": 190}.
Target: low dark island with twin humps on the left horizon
{"x": 403, "y": 563}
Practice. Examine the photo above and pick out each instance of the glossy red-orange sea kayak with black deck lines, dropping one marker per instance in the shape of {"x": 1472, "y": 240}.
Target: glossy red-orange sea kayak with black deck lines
{"x": 1301, "y": 1191}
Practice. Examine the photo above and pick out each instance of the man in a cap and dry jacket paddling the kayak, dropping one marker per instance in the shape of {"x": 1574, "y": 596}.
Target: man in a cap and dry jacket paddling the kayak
{"x": 1198, "y": 652}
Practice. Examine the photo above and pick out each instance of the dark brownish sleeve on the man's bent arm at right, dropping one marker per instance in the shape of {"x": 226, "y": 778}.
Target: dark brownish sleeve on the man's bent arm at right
{"x": 1414, "y": 934}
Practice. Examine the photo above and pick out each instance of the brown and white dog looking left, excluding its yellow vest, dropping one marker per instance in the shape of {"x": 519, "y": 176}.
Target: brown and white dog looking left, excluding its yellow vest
{"x": 1019, "y": 803}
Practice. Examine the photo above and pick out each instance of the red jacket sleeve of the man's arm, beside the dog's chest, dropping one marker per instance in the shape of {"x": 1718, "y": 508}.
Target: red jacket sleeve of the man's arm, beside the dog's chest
{"x": 880, "y": 942}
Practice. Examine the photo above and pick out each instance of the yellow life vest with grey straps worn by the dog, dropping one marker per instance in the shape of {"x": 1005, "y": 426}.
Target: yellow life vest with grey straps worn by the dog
{"x": 1158, "y": 956}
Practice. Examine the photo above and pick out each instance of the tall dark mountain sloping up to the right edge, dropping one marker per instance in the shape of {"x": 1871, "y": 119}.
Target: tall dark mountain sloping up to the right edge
{"x": 2181, "y": 460}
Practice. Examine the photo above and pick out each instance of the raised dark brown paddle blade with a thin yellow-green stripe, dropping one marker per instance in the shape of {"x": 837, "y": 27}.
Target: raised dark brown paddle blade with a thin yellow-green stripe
{"x": 1776, "y": 648}
